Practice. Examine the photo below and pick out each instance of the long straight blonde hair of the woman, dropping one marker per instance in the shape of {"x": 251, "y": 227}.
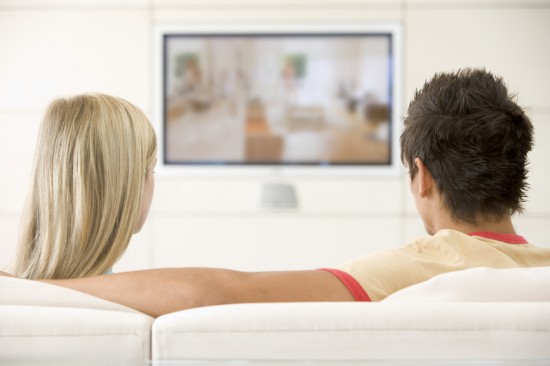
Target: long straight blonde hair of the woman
{"x": 91, "y": 162}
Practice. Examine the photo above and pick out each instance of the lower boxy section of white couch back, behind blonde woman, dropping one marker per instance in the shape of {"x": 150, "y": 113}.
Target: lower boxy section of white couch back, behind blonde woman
{"x": 73, "y": 336}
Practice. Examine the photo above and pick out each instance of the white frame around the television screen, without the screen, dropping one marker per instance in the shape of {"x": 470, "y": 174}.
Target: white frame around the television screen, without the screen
{"x": 279, "y": 170}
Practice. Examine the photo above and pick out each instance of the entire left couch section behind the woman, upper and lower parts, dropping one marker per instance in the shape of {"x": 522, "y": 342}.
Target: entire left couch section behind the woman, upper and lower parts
{"x": 48, "y": 324}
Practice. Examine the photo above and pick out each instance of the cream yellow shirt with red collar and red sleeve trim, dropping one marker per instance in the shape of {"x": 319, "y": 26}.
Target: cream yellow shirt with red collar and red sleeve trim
{"x": 384, "y": 272}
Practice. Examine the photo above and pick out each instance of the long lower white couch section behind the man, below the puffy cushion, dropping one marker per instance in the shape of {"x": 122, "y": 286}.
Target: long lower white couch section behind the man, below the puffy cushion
{"x": 356, "y": 331}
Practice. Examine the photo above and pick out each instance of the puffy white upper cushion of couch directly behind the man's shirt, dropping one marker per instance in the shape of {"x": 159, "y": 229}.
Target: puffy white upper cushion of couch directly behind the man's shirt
{"x": 481, "y": 284}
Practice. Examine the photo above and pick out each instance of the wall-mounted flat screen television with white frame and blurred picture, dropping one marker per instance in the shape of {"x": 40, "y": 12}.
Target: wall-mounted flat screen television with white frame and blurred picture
{"x": 286, "y": 99}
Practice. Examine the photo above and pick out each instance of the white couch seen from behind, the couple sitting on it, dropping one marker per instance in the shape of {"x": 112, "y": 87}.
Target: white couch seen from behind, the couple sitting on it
{"x": 479, "y": 314}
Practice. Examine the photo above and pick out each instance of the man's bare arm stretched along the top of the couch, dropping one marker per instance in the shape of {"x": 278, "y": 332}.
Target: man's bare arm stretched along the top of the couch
{"x": 161, "y": 291}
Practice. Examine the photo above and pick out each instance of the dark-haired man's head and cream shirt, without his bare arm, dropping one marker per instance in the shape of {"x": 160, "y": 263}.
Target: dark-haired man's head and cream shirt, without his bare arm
{"x": 465, "y": 143}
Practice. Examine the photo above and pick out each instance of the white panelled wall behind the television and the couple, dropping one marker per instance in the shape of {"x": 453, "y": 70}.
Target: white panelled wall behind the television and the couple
{"x": 52, "y": 48}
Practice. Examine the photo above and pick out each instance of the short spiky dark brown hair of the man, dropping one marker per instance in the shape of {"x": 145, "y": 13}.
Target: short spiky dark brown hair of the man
{"x": 473, "y": 139}
